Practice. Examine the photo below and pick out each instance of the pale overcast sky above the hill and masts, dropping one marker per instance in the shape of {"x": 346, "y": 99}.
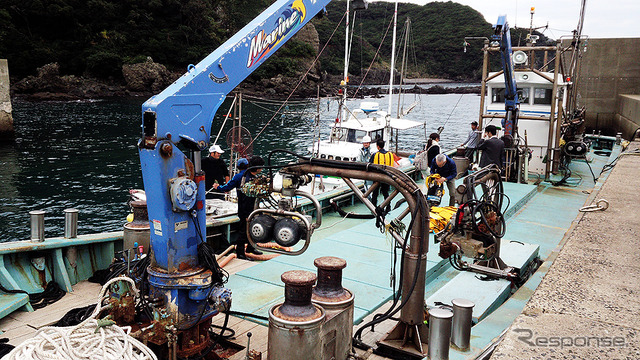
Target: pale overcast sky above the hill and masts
{"x": 603, "y": 18}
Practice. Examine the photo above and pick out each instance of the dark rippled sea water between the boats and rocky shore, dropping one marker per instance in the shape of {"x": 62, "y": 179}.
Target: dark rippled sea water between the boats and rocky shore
{"x": 83, "y": 154}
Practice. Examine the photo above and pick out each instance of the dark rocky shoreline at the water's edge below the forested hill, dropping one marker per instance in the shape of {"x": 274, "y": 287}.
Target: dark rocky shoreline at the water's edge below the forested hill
{"x": 149, "y": 78}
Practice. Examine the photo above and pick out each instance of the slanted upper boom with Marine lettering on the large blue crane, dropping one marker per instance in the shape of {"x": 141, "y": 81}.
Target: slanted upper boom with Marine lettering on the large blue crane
{"x": 185, "y": 109}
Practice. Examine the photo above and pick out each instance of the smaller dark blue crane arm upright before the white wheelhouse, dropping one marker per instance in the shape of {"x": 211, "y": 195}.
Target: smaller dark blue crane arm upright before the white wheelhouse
{"x": 503, "y": 37}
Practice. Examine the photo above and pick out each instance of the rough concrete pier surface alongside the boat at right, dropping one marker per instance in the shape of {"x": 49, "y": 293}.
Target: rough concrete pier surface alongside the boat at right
{"x": 587, "y": 305}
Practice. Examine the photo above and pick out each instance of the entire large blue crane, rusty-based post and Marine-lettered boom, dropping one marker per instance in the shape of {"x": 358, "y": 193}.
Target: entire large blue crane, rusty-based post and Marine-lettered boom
{"x": 182, "y": 115}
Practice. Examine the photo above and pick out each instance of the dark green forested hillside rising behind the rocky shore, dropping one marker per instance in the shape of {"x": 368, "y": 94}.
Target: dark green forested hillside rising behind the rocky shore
{"x": 95, "y": 38}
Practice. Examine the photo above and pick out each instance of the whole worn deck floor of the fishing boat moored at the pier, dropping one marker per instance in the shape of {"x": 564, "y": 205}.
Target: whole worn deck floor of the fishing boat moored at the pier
{"x": 256, "y": 286}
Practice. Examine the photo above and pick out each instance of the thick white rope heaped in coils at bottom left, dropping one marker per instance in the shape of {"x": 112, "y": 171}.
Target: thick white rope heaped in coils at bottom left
{"x": 93, "y": 339}
